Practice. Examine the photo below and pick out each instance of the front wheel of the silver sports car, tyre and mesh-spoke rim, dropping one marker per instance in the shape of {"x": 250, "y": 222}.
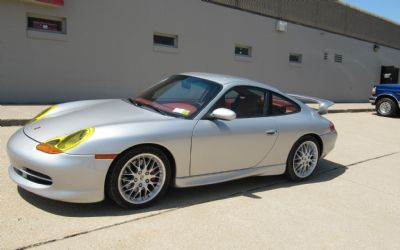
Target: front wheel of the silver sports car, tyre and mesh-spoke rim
{"x": 144, "y": 168}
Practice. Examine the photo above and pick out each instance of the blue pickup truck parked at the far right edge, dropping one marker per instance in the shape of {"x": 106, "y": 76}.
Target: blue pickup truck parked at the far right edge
{"x": 386, "y": 98}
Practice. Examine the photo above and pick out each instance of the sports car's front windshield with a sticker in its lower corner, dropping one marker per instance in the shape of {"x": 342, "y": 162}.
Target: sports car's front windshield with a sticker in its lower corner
{"x": 181, "y": 96}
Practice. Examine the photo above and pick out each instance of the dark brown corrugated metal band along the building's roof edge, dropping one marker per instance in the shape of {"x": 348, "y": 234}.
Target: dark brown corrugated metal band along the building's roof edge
{"x": 327, "y": 15}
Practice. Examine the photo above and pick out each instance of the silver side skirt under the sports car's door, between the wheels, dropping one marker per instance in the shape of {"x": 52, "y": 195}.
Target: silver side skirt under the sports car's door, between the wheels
{"x": 206, "y": 179}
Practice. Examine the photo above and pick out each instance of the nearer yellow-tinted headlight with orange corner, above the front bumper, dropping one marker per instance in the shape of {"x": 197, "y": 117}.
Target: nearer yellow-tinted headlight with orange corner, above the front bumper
{"x": 64, "y": 143}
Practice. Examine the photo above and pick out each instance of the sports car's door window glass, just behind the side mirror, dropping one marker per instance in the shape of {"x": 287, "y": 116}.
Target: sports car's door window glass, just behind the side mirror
{"x": 246, "y": 102}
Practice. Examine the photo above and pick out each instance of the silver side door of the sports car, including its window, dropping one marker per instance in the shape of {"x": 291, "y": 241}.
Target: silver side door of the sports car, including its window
{"x": 219, "y": 146}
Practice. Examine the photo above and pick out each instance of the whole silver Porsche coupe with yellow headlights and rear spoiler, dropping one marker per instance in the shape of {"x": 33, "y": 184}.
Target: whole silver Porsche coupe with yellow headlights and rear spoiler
{"x": 188, "y": 130}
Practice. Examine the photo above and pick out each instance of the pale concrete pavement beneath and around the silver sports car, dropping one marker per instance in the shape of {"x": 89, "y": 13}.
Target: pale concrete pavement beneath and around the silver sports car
{"x": 353, "y": 201}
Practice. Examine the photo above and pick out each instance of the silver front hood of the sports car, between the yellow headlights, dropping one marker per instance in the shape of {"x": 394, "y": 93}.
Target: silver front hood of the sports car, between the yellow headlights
{"x": 67, "y": 118}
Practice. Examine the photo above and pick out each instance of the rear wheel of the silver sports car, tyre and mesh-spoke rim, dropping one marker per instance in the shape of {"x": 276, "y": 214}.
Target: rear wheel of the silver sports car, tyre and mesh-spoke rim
{"x": 297, "y": 163}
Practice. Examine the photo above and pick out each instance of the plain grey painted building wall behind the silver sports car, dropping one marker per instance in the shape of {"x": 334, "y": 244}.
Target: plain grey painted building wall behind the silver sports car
{"x": 108, "y": 51}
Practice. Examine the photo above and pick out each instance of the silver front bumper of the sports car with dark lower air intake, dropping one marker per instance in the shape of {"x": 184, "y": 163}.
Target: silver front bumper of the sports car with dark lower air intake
{"x": 65, "y": 177}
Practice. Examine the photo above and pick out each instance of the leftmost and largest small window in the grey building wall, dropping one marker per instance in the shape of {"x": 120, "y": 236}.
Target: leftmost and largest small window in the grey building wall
{"x": 46, "y": 24}
